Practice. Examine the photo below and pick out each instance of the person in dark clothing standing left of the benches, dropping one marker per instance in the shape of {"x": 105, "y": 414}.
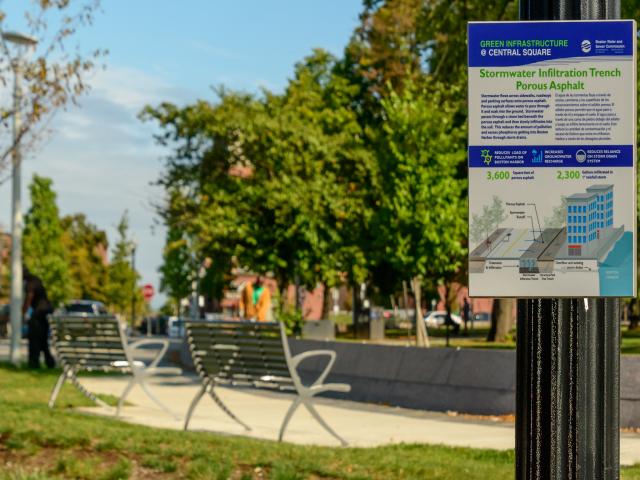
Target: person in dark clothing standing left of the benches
{"x": 37, "y": 303}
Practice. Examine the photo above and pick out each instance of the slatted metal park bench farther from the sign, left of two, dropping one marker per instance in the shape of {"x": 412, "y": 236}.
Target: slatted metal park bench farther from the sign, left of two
{"x": 99, "y": 343}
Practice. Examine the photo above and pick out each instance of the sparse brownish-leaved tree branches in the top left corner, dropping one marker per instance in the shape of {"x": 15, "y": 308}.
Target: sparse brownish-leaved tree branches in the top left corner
{"x": 51, "y": 78}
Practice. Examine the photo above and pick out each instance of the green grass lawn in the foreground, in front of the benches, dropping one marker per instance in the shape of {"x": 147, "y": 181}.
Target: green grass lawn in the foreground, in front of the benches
{"x": 38, "y": 443}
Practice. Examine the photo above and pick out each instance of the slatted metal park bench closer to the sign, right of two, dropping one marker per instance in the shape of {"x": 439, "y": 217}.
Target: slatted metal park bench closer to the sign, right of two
{"x": 255, "y": 355}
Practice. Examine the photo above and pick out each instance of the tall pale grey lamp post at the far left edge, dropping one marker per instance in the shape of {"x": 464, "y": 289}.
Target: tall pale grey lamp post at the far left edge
{"x": 23, "y": 42}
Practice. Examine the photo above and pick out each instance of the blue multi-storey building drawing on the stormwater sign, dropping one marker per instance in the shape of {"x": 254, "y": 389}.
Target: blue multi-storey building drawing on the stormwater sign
{"x": 587, "y": 214}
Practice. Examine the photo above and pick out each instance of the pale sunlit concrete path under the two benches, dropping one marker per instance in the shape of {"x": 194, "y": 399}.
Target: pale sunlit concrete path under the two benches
{"x": 362, "y": 425}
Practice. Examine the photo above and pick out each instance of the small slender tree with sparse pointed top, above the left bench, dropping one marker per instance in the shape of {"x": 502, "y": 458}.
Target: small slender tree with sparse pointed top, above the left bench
{"x": 122, "y": 280}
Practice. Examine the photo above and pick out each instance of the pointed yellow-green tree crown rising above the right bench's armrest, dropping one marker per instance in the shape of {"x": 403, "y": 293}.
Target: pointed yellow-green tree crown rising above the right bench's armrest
{"x": 308, "y": 217}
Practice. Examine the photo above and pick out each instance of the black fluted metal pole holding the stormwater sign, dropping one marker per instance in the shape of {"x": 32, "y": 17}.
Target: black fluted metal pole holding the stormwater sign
{"x": 568, "y": 353}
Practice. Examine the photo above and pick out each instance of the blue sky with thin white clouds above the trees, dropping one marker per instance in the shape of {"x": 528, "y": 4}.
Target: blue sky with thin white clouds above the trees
{"x": 101, "y": 158}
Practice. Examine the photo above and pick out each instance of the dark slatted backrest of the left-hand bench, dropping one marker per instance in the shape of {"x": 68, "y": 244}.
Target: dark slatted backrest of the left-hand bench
{"x": 89, "y": 342}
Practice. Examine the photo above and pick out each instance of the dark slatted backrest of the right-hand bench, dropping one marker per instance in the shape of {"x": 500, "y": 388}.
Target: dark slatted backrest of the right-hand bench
{"x": 241, "y": 353}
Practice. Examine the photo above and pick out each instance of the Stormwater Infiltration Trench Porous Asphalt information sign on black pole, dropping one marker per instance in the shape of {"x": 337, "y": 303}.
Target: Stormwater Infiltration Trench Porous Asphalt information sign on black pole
{"x": 552, "y": 147}
